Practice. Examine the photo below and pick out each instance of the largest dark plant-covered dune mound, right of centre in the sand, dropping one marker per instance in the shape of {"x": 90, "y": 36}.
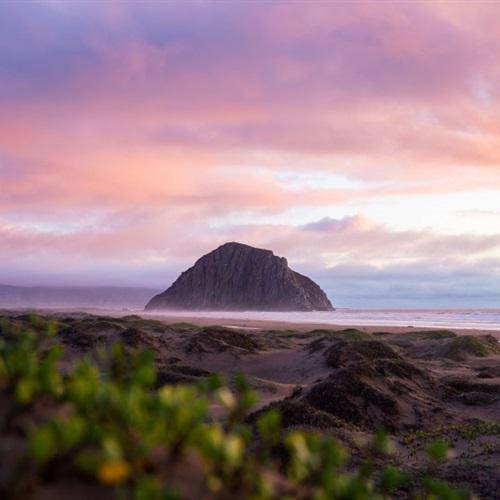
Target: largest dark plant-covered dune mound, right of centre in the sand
{"x": 373, "y": 385}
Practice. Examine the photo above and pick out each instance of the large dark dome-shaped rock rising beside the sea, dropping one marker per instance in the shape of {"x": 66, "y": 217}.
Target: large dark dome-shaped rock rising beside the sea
{"x": 237, "y": 276}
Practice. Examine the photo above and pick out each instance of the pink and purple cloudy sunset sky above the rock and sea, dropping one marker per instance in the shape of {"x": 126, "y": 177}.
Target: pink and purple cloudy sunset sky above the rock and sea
{"x": 361, "y": 140}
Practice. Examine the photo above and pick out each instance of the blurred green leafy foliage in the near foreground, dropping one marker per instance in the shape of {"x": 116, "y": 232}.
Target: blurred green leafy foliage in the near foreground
{"x": 110, "y": 425}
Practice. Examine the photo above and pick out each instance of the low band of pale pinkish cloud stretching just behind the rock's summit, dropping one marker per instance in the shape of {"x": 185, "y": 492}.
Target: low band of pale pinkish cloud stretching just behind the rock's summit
{"x": 130, "y": 235}
